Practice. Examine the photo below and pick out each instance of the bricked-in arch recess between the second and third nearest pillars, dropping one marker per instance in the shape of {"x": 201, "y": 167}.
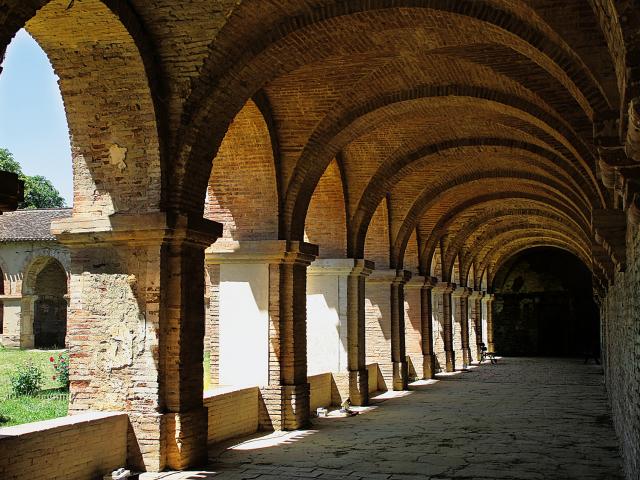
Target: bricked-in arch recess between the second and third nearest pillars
{"x": 326, "y": 221}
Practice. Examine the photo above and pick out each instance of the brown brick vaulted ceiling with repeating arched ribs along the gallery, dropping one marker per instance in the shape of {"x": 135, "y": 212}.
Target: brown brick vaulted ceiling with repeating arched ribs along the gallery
{"x": 471, "y": 121}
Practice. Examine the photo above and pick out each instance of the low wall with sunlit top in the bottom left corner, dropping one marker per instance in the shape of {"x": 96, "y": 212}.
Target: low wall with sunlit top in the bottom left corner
{"x": 85, "y": 446}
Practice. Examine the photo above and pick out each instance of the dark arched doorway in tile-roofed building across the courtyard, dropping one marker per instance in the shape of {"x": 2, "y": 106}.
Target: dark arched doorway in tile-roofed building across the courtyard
{"x": 46, "y": 283}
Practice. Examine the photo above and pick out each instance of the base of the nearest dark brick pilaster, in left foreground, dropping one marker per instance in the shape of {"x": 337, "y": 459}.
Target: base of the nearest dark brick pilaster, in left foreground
{"x": 186, "y": 438}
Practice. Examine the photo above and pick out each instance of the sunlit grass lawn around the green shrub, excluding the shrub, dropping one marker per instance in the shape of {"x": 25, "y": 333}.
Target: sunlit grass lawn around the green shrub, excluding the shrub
{"x": 50, "y": 403}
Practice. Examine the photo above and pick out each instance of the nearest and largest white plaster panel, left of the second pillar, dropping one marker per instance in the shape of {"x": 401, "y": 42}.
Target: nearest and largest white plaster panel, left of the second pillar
{"x": 244, "y": 324}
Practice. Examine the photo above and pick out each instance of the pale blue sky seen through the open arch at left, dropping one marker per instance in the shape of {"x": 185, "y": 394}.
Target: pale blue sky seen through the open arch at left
{"x": 33, "y": 124}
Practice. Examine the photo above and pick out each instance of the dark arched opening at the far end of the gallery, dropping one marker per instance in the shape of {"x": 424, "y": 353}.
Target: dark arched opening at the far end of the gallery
{"x": 544, "y": 306}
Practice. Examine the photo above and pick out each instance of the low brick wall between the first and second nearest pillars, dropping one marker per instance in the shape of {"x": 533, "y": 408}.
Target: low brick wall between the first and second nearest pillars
{"x": 232, "y": 412}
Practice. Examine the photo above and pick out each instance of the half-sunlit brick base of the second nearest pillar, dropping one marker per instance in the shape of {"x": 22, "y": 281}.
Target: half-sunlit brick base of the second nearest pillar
{"x": 284, "y": 407}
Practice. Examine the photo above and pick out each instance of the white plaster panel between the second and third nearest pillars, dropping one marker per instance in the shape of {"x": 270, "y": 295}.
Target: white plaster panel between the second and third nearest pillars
{"x": 326, "y": 323}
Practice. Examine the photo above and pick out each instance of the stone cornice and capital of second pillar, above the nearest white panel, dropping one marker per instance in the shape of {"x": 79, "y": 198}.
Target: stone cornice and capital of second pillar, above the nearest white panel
{"x": 261, "y": 251}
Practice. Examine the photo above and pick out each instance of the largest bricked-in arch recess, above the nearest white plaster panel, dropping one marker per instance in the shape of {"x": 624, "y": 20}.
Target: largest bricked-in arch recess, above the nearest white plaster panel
{"x": 243, "y": 191}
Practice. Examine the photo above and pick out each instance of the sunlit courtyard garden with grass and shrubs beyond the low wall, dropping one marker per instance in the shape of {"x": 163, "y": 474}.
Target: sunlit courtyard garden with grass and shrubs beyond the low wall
{"x": 31, "y": 387}
